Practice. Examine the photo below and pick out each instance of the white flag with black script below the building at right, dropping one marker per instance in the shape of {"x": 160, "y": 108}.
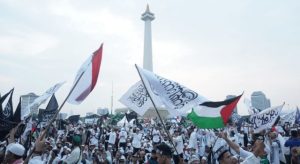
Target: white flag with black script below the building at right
{"x": 265, "y": 119}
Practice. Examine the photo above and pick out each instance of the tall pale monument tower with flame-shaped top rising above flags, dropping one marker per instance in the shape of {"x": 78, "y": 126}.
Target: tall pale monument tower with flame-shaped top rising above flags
{"x": 147, "y": 16}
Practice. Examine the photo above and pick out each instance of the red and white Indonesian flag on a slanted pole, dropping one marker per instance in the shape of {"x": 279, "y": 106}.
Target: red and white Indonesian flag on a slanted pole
{"x": 86, "y": 77}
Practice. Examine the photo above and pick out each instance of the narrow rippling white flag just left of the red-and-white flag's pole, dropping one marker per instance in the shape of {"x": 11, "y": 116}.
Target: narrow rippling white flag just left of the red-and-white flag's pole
{"x": 41, "y": 99}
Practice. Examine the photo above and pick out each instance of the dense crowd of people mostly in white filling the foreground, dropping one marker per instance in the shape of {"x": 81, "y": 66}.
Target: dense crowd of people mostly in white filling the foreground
{"x": 152, "y": 144}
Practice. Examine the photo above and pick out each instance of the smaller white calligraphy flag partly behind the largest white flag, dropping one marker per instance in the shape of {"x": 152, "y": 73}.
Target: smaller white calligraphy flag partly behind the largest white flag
{"x": 137, "y": 99}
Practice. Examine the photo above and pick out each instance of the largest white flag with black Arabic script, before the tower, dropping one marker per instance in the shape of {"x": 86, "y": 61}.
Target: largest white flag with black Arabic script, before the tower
{"x": 176, "y": 97}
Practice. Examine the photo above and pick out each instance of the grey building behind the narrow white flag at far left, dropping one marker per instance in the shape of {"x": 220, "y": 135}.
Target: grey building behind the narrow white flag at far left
{"x": 26, "y": 100}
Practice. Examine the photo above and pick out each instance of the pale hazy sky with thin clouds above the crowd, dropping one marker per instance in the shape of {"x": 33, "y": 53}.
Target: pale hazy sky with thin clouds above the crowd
{"x": 213, "y": 47}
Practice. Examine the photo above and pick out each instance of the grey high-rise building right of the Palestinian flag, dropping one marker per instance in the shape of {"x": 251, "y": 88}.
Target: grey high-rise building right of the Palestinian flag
{"x": 259, "y": 101}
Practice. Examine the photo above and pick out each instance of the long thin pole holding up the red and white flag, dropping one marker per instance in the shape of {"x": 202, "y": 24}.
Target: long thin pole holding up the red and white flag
{"x": 55, "y": 115}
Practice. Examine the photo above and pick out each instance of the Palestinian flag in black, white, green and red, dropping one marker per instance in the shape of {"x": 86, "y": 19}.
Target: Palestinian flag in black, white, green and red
{"x": 209, "y": 115}
